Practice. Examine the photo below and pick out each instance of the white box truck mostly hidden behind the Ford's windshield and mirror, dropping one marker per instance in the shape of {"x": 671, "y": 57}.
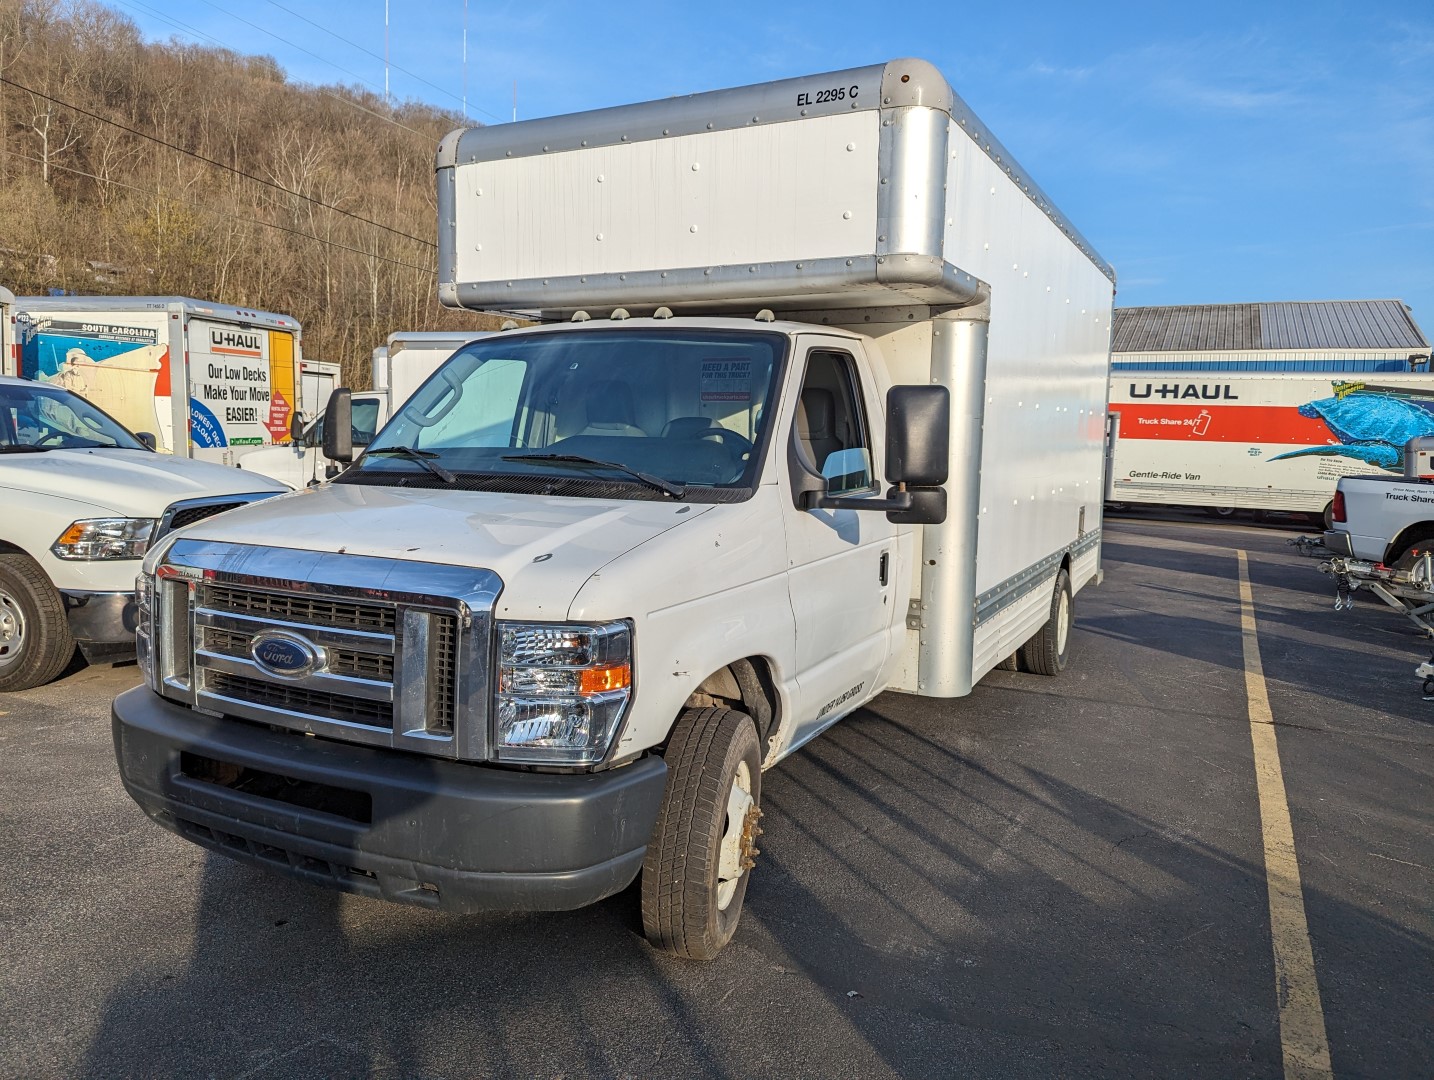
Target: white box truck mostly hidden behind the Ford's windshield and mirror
{"x": 399, "y": 369}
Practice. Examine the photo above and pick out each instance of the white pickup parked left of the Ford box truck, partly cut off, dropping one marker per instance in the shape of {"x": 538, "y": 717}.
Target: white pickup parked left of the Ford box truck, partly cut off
{"x": 81, "y": 503}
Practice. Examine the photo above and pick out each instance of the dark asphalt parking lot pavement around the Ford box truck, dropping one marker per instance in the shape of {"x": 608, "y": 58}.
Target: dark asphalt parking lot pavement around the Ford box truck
{"x": 1055, "y": 877}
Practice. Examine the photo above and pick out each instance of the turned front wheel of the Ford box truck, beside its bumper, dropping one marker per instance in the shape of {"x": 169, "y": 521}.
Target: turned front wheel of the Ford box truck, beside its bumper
{"x": 695, "y": 876}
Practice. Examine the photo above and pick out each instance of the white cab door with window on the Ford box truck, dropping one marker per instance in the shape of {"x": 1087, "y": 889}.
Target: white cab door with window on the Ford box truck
{"x": 841, "y": 564}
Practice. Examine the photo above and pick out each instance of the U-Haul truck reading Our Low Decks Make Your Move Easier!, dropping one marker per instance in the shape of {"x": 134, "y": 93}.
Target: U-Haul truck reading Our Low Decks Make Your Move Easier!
{"x": 207, "y": 381}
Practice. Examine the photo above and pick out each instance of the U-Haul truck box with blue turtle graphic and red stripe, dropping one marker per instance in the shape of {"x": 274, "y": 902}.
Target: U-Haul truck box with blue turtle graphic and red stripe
{"x": 1257, "y": 441}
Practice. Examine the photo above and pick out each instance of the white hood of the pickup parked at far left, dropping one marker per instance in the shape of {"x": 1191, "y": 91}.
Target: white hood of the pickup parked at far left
{"x": 131, "y": 484}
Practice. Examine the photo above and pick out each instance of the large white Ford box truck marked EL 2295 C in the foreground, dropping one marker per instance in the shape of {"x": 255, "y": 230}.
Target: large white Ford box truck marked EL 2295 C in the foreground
{"x": 549, "y": 630}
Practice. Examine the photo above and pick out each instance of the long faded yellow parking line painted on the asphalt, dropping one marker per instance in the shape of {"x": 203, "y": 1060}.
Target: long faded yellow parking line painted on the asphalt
{"x": 1301, "y": 1015}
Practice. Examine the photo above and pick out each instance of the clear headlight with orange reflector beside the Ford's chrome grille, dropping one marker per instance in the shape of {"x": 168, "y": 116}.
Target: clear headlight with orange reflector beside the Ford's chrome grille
{"x": 563, "y": 691}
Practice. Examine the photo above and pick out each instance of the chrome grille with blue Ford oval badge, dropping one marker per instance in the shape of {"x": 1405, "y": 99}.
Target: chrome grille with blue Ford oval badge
{"x": 359, "y": 649}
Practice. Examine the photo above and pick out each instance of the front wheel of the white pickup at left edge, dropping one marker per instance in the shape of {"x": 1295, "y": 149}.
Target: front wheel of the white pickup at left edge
{"x": 35, "y": 639}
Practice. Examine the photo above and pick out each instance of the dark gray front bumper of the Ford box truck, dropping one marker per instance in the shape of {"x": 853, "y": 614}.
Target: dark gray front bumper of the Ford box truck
{"x": 385, "y": 823}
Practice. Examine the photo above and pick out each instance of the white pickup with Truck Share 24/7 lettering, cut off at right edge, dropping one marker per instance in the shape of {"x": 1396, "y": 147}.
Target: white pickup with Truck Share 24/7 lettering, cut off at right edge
{"x": 1385, "y": 518}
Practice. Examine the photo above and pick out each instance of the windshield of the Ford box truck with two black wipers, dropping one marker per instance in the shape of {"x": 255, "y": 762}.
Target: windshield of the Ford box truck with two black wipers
{"x": 640, "y": 414}
